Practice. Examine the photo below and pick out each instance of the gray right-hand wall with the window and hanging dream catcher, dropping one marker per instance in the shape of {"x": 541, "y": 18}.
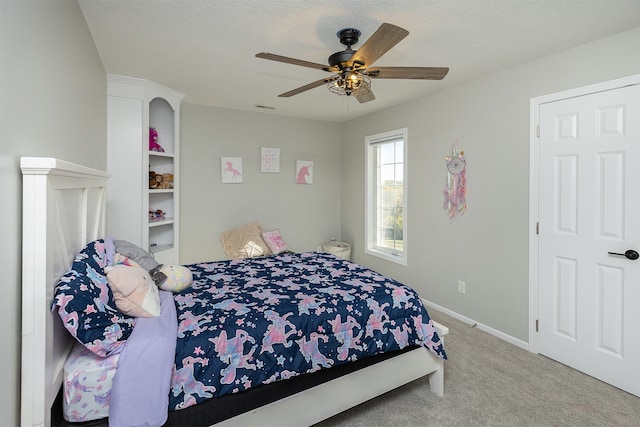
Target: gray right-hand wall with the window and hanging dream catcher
{"x": 487, "y": 247}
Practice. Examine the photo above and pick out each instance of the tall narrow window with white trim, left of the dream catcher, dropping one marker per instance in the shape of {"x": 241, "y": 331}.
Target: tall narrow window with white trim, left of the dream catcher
{"x": 386, "y": 224}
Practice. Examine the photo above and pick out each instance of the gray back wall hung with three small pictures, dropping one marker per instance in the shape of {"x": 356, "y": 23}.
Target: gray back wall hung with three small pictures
{"x": 306, "y": 215}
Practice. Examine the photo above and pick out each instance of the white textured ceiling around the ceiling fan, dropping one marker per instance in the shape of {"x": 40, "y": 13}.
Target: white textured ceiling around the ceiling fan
{"x": 206, "y": 48}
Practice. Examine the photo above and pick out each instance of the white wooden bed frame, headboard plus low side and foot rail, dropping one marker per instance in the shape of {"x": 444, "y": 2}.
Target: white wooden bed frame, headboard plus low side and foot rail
{"x": 63, "y": 210}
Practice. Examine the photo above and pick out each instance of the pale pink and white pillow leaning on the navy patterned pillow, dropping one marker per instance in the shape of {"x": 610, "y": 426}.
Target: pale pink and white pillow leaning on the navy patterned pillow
{"x": 134, "y": 291}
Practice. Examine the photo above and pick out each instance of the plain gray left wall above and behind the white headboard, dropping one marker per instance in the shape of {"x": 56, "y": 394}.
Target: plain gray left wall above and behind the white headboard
{"x": 53, "y": 104}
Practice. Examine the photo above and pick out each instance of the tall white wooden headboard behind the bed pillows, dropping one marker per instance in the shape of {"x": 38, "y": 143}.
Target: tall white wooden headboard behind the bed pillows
{"x": 63, "y": 208}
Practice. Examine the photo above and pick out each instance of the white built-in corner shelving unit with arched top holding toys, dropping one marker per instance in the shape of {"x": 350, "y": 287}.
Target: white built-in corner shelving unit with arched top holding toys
{"x": 133, "y": 106}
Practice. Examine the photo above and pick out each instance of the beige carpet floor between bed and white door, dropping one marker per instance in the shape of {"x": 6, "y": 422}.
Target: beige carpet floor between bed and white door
{"x": 489, "y": 382}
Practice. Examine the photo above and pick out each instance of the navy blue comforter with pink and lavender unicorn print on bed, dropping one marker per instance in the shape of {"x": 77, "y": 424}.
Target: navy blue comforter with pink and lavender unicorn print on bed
{"x": 254, "y": 321}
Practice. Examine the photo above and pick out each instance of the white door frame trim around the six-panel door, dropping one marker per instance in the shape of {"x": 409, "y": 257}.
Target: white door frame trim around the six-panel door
{"x": 534, "y": 164}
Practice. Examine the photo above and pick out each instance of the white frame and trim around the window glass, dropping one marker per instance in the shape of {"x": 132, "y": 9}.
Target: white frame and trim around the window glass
{"x": 372, "y": 237}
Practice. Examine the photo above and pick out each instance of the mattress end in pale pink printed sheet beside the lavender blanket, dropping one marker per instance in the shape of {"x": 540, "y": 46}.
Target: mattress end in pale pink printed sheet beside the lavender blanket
{"x": 87, "y": 385}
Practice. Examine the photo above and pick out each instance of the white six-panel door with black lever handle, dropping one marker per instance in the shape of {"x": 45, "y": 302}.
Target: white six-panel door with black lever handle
{"x": 589, "y": 205}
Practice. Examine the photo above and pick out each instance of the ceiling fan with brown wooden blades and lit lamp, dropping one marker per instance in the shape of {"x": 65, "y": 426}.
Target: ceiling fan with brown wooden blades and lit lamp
{"x": 352, "y": 69}
